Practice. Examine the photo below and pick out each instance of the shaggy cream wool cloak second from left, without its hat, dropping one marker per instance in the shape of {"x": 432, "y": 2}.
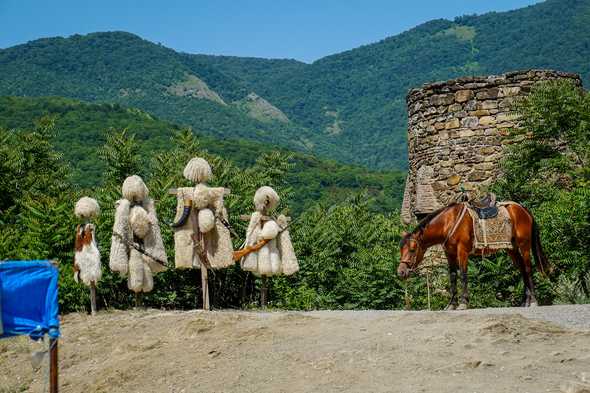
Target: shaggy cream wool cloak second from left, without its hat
{"x": 132, "y": 223}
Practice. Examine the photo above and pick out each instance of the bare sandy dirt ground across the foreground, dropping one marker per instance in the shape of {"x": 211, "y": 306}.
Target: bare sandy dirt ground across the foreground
{"x": 328, "y": 351}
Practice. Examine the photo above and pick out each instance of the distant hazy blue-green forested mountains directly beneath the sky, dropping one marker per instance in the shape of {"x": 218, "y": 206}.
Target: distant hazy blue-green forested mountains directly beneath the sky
{"x": 349, "y": 106}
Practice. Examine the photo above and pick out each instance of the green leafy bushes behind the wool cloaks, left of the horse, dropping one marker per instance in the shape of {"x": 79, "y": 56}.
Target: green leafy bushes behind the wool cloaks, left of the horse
{"x": 37, "y": 222}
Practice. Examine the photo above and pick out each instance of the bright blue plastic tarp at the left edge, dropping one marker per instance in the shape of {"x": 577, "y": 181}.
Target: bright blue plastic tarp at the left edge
{"x": 28, "y": 299}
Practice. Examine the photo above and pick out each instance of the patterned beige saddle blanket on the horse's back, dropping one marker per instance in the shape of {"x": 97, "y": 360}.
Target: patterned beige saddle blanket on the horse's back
{"x": 492, "y": 233}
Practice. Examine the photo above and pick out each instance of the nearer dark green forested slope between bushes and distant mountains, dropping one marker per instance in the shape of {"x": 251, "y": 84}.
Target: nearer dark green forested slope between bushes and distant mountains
{"x": 81, "y": 128}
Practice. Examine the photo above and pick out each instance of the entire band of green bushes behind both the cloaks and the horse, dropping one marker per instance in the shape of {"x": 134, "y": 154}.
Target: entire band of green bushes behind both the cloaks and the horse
{"x": 348, "y": 252}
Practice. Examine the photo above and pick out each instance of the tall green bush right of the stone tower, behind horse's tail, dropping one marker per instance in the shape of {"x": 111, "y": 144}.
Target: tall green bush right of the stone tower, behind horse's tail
{"x": 550, "y": 172}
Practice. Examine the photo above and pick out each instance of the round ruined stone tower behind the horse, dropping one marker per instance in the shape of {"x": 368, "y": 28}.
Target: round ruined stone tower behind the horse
{"x": 456, "y": 135}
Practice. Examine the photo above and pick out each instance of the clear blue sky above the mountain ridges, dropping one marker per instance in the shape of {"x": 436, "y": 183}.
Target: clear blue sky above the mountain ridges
{"x": 302, "y": 29}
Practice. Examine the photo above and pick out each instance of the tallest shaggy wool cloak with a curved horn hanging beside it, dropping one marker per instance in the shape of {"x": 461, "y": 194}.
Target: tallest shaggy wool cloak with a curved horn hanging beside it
{"x": 207, "y": 207}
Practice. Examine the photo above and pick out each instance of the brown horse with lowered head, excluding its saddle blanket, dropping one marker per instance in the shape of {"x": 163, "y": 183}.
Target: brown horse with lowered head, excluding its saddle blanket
{"x": 452, "y": 228}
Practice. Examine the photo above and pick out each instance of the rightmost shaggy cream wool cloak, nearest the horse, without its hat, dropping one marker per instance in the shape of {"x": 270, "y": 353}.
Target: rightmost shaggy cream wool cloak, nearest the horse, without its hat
{"x": 277, "y": 256}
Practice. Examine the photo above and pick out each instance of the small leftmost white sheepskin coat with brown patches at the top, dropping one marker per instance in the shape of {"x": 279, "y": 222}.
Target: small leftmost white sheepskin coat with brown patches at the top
{"x": 87, "y": 260}
